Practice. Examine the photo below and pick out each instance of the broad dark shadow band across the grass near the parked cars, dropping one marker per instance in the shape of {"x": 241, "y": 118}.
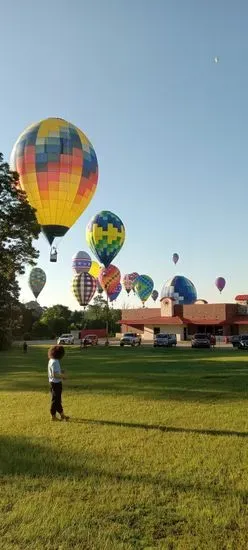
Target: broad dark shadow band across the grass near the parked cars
{"x": 181, "y": 375}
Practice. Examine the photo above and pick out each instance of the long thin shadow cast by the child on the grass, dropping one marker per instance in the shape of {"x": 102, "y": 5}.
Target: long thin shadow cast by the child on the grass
{"x": 161, "y": 428}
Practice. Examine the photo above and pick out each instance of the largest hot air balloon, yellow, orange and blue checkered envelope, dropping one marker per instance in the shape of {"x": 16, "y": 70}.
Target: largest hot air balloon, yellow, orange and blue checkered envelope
{"x": 58, "y": 170}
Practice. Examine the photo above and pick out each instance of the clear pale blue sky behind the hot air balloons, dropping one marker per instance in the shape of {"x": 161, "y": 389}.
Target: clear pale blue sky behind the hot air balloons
{"x": 168, "y": 124}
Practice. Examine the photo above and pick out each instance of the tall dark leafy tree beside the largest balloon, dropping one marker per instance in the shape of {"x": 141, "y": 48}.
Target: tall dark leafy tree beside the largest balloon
{"x": 18, "y": 226}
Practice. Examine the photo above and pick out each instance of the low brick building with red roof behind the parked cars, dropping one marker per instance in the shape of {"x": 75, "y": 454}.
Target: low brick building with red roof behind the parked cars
{"x": 185, "y": 320}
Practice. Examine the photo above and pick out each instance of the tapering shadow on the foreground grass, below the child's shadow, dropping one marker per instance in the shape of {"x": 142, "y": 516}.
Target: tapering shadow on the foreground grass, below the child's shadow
{"x": 19, "y": 456}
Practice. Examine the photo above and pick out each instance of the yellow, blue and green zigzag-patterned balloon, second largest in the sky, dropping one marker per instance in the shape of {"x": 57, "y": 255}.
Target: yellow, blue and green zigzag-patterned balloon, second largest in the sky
{"x": 105, "y": 235}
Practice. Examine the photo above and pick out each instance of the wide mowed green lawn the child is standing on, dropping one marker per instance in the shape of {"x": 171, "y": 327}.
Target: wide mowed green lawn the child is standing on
{"x": 155, "y": 455}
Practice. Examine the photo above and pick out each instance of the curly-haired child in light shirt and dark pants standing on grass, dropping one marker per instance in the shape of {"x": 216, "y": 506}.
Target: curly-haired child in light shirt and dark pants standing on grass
{"x": 55, "y": 377}
